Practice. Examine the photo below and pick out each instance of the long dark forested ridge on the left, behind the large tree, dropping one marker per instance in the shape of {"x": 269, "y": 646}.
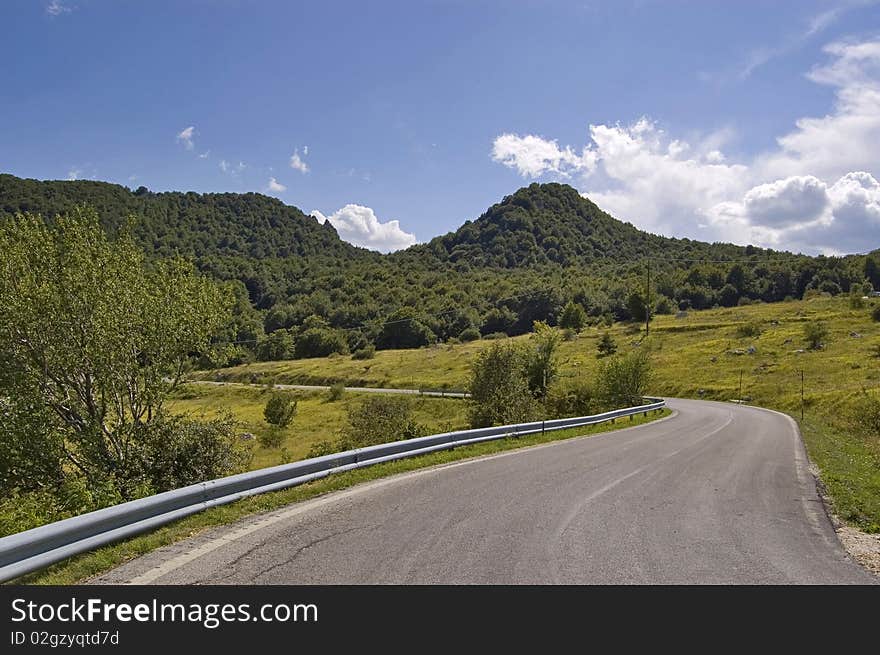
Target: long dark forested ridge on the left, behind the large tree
{"x": 248, "y": 225}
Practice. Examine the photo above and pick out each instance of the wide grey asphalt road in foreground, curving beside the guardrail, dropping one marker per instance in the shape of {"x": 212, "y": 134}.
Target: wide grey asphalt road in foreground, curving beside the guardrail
{"x": 717, "y": 493}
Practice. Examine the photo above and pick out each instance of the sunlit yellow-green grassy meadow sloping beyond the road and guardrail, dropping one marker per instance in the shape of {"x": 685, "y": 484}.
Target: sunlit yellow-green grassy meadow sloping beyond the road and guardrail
{"x": 697, "y": 356}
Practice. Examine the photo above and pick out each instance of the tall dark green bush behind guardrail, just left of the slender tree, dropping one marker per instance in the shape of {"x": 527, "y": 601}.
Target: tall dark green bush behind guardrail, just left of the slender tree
{"x": 499, "y": 386}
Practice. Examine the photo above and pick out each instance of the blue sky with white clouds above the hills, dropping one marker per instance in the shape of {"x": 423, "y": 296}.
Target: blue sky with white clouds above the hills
{"x": 736, "y": 121}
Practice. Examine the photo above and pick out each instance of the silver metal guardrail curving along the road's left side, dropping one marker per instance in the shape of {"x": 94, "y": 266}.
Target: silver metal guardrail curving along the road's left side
{"x": 40, "y": 547}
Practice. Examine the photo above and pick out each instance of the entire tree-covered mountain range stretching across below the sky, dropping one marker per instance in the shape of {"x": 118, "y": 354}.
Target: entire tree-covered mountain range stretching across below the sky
{"x": 302, "y": 291}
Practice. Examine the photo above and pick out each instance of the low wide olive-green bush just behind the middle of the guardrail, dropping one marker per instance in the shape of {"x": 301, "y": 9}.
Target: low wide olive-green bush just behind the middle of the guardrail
{"x": 379, "y": 419}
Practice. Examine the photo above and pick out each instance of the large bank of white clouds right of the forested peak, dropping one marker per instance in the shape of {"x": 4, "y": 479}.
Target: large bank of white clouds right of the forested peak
{"x": 815, "y": 191}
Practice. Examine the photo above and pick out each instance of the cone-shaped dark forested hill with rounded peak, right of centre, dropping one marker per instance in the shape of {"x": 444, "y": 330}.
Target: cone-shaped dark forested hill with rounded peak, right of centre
{"x": 553, "y": 223}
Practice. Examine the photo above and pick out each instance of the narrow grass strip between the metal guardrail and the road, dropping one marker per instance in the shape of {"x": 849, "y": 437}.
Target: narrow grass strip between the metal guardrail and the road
{"x": 82, "y": 567}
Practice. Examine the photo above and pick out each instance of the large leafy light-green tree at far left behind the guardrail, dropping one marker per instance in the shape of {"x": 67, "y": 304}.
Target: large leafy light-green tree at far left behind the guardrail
{"x": 97, "y": 337}
